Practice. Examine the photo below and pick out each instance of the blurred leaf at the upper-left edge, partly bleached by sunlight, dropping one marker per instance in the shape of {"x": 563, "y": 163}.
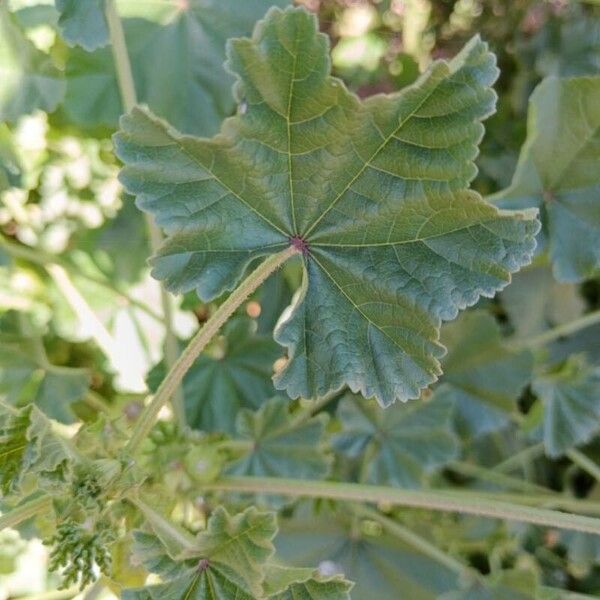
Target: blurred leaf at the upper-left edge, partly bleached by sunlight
{"x": 29, "y": 79}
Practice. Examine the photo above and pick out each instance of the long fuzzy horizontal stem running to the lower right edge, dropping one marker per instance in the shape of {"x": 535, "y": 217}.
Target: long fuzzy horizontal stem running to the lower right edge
{"x": 468, "y": 503}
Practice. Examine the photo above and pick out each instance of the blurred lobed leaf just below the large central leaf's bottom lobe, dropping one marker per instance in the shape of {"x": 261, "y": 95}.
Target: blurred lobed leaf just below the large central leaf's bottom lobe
{"x": 404, "y": 443}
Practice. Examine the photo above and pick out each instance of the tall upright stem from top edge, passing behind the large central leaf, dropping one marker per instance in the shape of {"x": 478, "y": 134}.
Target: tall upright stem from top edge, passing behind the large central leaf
{"x": 129, "y": 99}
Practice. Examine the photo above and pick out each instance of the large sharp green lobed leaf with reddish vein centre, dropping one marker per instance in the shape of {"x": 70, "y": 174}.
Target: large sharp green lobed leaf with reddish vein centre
{"x": 373, "y": 194}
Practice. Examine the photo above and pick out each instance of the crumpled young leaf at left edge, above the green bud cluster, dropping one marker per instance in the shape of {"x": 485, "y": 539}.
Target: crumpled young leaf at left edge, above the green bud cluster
{"x": 30, "y": 448}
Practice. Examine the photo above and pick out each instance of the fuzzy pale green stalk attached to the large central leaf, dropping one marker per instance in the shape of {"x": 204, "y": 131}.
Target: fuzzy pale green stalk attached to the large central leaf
{"x": 199, "y": 341}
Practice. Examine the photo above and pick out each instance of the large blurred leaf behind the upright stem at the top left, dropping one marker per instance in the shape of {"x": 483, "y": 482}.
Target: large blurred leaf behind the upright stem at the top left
{"x": 177, "y": 51}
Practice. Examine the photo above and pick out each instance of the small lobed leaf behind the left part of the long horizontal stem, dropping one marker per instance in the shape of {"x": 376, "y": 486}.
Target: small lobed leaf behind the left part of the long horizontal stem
{"x": 281, "y": 447}
